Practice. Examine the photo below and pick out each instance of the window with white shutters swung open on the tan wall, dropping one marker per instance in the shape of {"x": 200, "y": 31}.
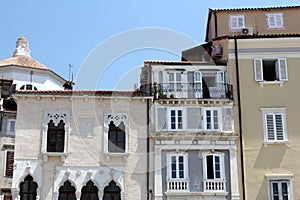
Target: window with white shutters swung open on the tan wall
{"x": 270, "y": 69}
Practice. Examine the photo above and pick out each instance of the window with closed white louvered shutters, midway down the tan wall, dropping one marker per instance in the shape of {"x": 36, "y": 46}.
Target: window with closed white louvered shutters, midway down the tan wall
{"x": 274, "y": 125}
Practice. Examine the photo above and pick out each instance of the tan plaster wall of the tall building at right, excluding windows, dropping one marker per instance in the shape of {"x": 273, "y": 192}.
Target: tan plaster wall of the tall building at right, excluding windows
{"x": 262, "y": 160}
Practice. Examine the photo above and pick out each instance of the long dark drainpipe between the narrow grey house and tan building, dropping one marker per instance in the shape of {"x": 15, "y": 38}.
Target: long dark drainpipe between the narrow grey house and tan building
{"x": 240, "y": 115}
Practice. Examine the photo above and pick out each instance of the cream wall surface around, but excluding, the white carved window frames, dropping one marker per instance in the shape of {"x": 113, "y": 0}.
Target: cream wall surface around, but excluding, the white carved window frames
{"x": 83, "y": 152}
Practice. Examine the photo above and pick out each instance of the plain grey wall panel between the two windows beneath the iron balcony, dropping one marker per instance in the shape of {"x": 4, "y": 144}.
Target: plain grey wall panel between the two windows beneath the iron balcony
{"x": 194, "y": 119}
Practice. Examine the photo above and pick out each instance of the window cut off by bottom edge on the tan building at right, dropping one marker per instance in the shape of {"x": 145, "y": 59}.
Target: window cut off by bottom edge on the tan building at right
{"x": 280, "y": 190}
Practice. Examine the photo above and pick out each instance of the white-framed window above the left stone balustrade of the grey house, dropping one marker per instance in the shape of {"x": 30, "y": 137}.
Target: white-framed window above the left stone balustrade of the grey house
{"x": 177, "y": 167}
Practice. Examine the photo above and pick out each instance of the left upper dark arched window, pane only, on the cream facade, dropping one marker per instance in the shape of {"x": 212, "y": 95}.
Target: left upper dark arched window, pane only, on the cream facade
{"x": 56, "y": 137}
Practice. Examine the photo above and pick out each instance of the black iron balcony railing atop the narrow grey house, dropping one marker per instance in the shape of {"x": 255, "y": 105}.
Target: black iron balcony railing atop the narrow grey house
{"x": 193, "y": 90}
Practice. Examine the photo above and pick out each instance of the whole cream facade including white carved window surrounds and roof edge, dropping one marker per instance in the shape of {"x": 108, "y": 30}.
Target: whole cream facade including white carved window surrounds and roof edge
{"x": 84, "y": 157}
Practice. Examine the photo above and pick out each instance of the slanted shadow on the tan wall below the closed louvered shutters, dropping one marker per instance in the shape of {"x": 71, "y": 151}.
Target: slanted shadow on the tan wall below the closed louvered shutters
{"x": 270, "y": 157}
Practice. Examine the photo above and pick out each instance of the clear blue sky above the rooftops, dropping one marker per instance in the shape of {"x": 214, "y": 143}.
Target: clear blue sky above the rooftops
{"x": 68, "y": 32}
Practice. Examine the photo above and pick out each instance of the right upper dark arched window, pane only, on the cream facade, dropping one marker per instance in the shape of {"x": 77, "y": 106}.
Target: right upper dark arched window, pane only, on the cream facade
{"x": 116, "y": 138}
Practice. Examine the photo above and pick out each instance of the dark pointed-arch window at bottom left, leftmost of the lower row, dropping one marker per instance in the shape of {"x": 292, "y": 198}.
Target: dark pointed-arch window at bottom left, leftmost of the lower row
{"x": 28, "y": 189}
